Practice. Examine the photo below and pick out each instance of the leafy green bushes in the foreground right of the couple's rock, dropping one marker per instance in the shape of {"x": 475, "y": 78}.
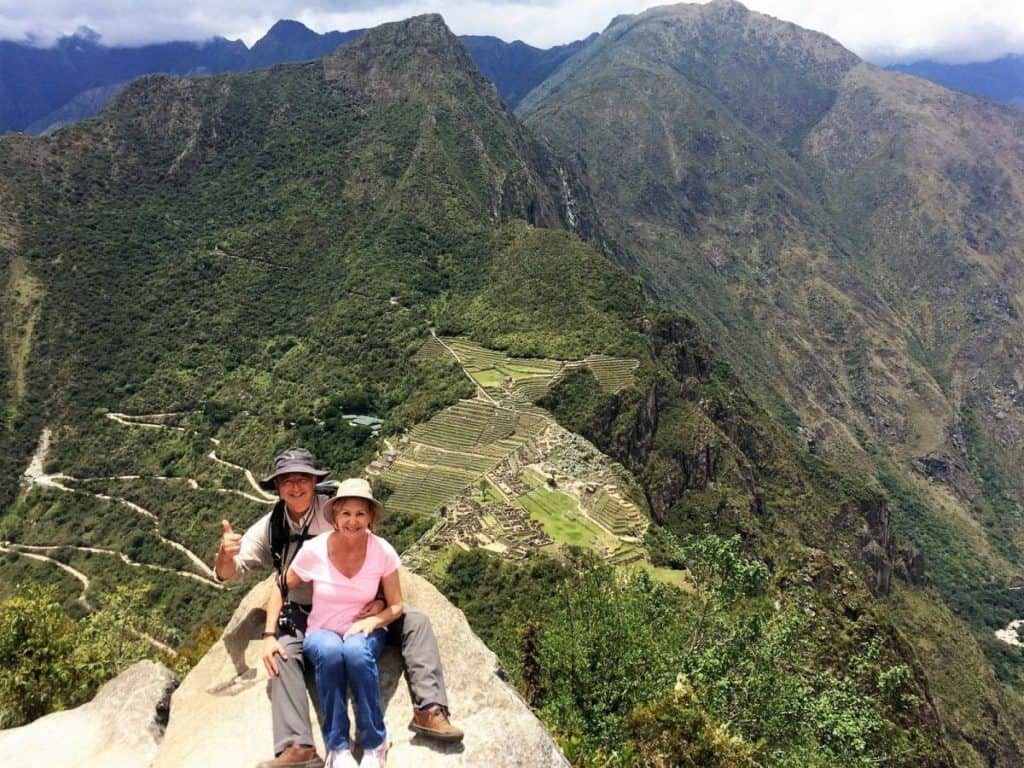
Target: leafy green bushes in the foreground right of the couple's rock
{"x": 629, "y": 672}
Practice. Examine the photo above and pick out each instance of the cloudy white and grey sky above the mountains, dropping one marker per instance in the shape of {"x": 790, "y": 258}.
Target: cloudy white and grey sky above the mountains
{"x": 882, "y": 31}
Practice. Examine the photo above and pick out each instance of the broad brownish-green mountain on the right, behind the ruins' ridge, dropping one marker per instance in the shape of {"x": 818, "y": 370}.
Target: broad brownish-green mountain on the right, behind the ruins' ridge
{"x": 850, "y": 240}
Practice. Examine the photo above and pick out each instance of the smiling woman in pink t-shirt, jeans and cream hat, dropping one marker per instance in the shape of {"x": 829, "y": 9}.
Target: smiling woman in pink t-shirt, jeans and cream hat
{"x": 347, "y": 567}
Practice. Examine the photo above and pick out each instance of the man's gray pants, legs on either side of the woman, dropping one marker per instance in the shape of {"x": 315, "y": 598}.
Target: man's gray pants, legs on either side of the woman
{"x": 421, "y": 659}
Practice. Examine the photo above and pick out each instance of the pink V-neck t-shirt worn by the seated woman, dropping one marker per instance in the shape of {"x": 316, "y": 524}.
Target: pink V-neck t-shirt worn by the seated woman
{"x": 336, "y": 599}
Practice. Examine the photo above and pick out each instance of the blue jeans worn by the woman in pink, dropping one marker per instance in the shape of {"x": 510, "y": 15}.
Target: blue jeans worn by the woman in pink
{"x": 354, "y": 663}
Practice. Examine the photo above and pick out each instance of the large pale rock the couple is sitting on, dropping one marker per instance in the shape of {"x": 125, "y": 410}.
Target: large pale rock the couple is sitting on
{"x": 223, "y": 709}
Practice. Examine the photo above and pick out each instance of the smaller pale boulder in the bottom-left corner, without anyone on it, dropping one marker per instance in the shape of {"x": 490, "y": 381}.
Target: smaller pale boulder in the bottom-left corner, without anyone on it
{"x": 120, "y": 729}
